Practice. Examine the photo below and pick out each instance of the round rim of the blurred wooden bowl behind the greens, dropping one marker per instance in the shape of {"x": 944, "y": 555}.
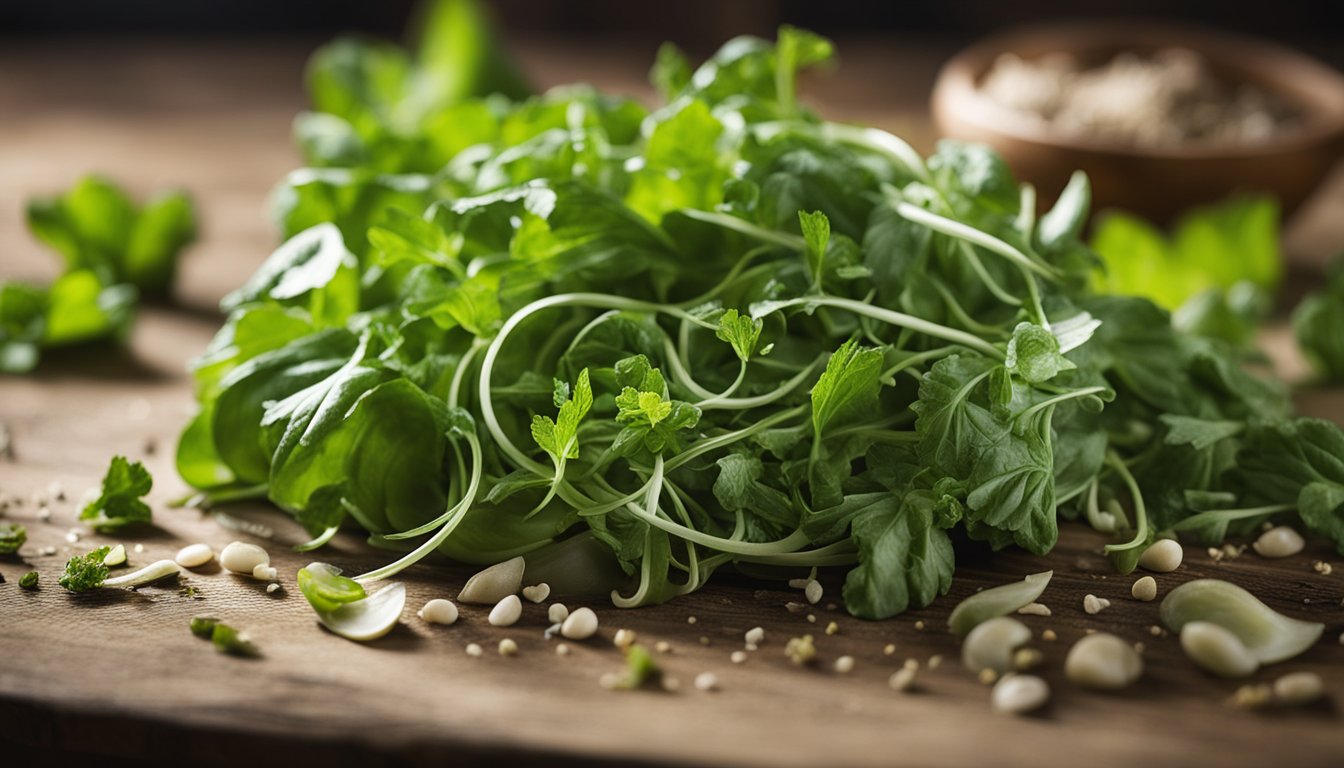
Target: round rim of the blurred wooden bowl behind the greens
{"x": 956, "y": 88}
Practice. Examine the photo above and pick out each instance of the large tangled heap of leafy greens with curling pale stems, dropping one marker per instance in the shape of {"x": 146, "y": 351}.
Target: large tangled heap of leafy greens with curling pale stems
{"x": 717, "y": 334}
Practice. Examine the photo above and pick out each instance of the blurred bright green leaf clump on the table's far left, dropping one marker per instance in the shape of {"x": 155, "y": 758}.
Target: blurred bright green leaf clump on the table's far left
{"x": 115, "y": 252}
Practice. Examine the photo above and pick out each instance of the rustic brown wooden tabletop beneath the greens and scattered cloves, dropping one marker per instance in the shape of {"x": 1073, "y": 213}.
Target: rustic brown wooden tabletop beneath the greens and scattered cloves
{"x": 118, "y": 676}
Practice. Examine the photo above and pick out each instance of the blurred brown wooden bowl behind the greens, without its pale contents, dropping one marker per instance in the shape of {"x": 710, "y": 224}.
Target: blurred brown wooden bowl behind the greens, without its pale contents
{"x": 1155, "y": 182}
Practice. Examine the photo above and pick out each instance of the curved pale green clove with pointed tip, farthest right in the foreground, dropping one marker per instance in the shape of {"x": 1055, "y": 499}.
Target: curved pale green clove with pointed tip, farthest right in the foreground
{"x": 1267, "y": 634}
